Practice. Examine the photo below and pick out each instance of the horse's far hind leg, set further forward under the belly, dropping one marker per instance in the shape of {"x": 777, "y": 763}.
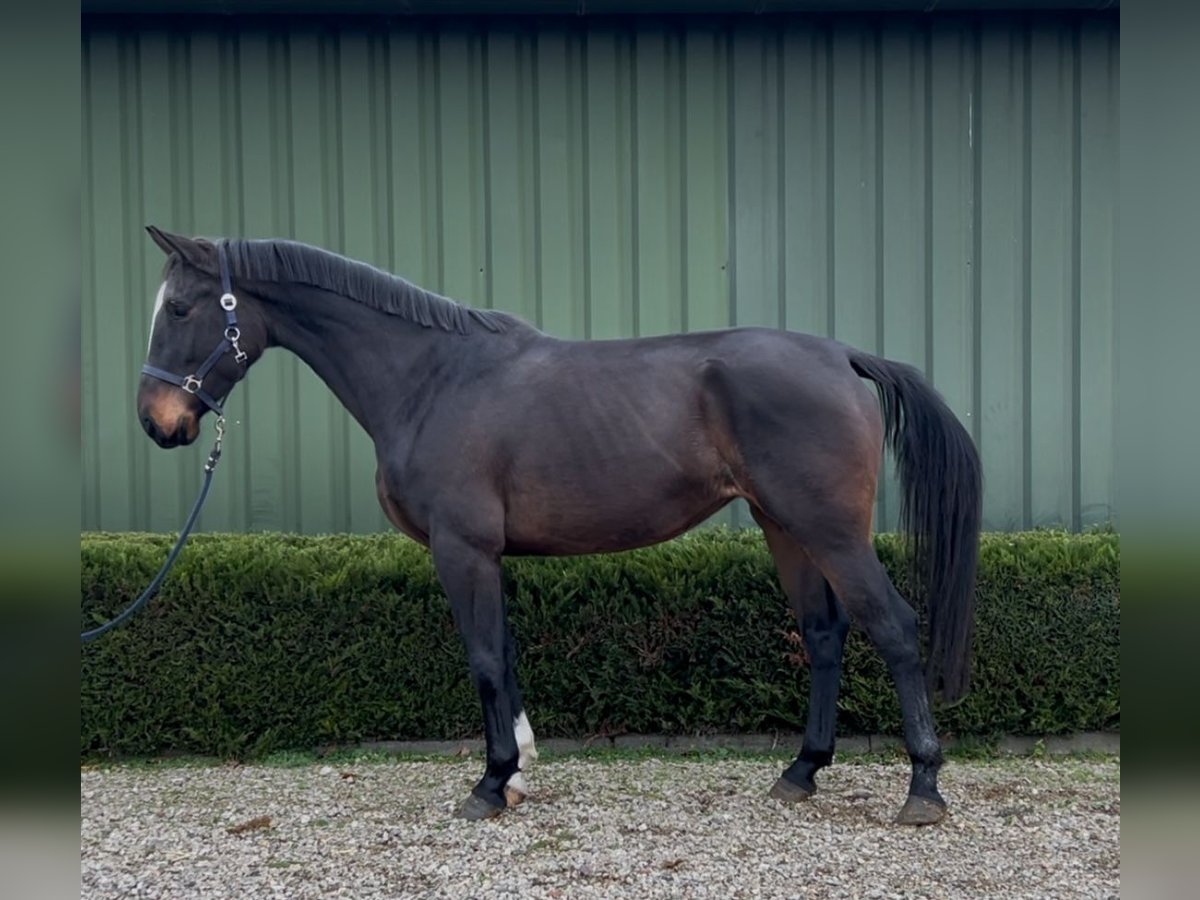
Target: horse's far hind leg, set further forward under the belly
{"x": 824, "y": 625}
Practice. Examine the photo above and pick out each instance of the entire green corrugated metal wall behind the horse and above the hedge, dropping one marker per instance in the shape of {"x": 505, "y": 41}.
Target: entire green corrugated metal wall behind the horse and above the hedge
{"x": 940, "y": 190}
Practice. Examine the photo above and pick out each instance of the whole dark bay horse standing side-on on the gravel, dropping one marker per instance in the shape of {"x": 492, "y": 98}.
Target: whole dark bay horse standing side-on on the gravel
{"x": 495, "y": 439}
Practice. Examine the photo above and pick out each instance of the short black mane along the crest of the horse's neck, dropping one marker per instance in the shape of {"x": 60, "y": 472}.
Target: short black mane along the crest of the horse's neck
{"x": 287, "y": 261}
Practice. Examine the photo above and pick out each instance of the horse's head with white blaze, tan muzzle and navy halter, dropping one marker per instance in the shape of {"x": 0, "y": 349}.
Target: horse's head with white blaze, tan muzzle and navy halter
{"x": 203, "y": 338}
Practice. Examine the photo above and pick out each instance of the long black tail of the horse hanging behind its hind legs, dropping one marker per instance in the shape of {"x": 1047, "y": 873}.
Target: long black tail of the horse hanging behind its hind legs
{"x": 940, "y": 473}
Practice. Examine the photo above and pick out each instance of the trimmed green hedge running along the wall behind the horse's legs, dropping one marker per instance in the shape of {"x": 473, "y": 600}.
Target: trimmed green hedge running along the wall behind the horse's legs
{"x": 268, "y": 643}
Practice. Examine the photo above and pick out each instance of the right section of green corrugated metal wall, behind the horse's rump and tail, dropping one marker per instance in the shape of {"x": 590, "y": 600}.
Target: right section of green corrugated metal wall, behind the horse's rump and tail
{"x": 944, "y": 193}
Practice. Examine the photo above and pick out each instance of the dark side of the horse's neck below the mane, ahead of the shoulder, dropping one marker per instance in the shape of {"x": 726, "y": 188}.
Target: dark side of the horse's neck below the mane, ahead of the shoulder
{"x": 369, "y": 359}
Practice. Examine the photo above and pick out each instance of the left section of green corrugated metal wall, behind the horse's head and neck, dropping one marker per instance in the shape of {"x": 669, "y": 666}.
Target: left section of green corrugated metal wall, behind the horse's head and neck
{"x": 577, "y": 178}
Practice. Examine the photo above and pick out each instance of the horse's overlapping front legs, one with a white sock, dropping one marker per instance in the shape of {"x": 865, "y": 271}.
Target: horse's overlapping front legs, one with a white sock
{"x": 470, "y": 571}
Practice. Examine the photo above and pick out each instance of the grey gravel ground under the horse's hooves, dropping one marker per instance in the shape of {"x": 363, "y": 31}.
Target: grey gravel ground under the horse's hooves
{"x": 665, "y": 827}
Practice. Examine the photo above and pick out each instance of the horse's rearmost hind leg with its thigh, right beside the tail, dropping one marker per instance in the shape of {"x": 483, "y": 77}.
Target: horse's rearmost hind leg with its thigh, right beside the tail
{"x": 818, "y": 483}
